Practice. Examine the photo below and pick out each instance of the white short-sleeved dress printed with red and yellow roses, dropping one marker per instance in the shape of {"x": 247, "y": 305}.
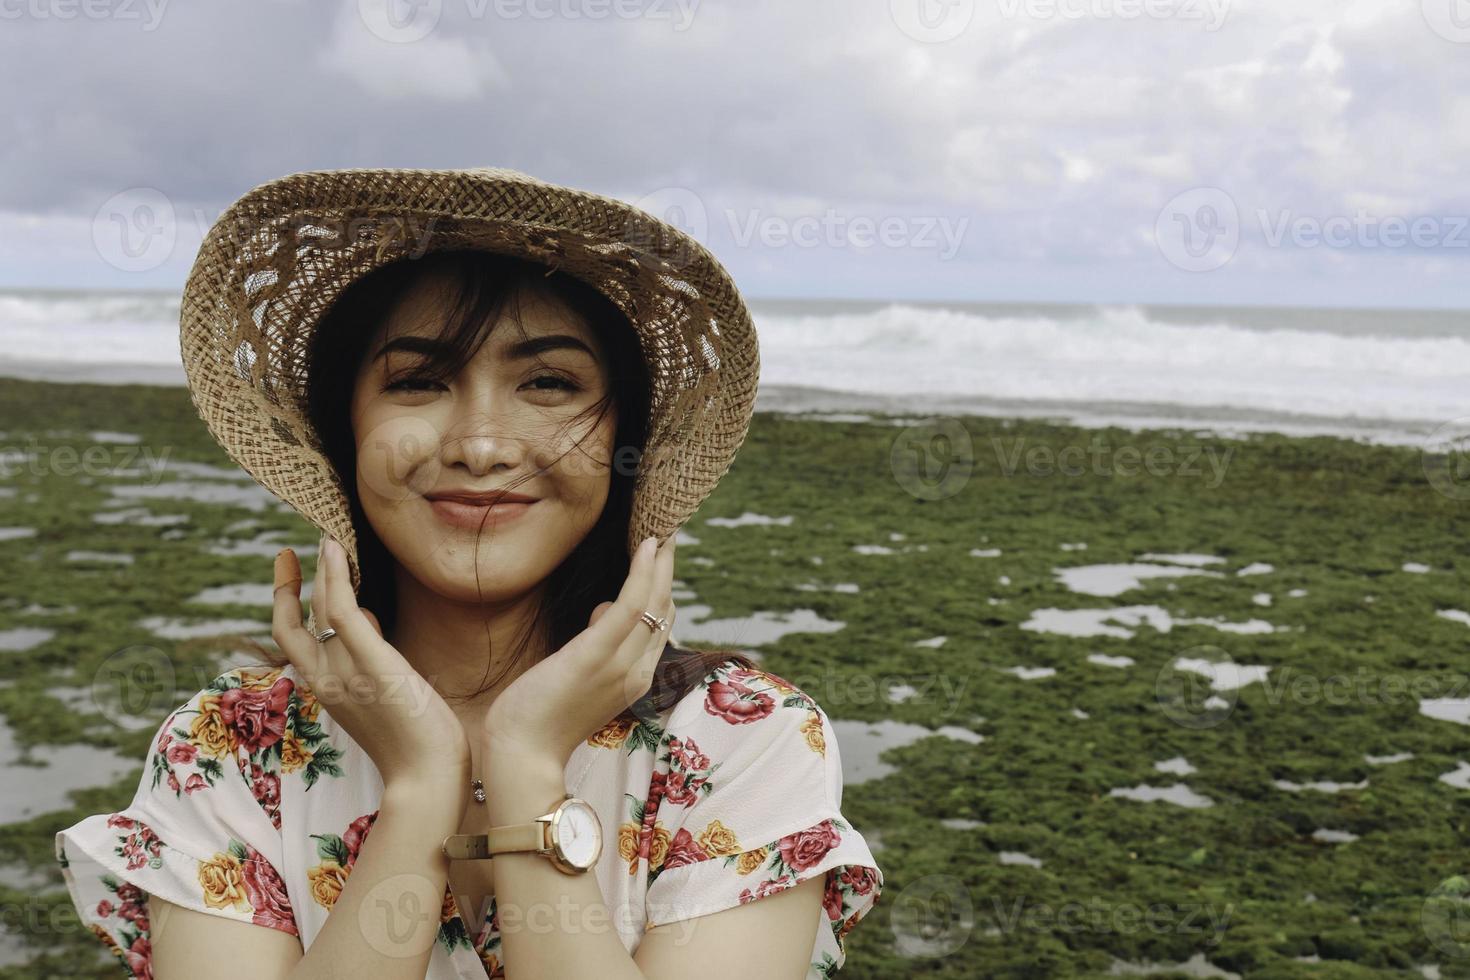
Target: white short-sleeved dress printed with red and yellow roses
{"x": 255, "y": 804}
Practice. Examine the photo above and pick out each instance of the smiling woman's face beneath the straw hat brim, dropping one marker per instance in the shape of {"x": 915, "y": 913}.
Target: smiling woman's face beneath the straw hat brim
{"x": 505, "y": 422}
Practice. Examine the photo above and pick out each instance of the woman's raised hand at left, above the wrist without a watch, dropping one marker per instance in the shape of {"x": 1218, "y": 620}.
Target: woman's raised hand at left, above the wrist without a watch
{"x": 367, "y": 685}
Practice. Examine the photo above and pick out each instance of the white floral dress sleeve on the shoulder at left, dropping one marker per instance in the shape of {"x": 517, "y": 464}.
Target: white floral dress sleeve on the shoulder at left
{"x": 204, "y": 826}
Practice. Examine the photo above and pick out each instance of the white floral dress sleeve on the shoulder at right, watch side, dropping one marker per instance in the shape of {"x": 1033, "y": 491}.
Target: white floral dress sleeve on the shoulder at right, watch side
{"x": 746, "y": 803}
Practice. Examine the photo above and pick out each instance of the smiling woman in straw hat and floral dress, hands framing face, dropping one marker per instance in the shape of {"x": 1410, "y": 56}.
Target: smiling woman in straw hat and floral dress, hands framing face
{"x": 499, "y": 405}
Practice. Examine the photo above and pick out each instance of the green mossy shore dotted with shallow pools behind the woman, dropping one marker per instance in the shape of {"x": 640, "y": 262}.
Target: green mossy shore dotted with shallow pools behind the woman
{"x": 1241, "y": 752}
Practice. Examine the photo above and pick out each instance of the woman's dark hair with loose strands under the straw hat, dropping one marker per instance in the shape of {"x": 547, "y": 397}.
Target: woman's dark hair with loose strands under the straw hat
{"x": 483, "y": 284}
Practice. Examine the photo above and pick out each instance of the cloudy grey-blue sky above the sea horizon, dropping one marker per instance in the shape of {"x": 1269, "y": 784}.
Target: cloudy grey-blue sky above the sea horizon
{"x": 1243, "y": 152}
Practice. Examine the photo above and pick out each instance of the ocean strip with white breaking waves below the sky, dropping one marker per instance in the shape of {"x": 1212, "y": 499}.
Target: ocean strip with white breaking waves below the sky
{"x": 1390, "y": 377}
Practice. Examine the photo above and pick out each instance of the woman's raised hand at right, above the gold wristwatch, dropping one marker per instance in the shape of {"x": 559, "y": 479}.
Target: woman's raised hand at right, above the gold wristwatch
{"x": 559, "y": 703}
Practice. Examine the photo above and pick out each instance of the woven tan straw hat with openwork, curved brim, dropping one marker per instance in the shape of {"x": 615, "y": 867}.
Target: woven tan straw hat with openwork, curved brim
{"x": 279, "y": 258}
